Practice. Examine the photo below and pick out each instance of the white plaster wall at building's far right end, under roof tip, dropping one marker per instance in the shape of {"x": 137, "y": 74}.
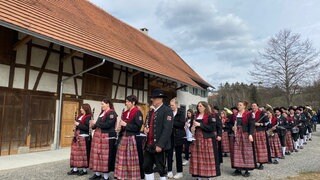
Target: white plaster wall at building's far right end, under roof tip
{"x": 187, "y": 99}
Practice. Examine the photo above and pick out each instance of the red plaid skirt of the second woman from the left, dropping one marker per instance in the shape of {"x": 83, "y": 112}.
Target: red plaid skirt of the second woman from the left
{"x": 99, "y": 156}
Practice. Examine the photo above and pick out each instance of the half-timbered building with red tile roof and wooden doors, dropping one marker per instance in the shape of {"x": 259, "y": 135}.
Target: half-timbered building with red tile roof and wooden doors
{"x": 45, "y": 46}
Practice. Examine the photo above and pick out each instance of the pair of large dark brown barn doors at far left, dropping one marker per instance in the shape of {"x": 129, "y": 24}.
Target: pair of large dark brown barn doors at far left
{"x": 26, "y": 121}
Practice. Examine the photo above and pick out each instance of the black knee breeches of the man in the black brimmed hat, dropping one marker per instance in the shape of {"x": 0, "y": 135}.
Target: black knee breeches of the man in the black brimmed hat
{"x": 153, "y": 158}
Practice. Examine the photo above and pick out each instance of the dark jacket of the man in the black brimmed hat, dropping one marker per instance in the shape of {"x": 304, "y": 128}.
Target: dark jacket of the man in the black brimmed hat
{"x": 163, "y": 124}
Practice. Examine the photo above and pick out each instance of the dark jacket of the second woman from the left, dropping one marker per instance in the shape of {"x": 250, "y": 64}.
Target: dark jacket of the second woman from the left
{"x": 107, "y": 123}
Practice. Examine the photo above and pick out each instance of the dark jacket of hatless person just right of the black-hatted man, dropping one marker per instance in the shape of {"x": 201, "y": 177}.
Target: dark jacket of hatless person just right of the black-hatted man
{"x": 178, "y": 132}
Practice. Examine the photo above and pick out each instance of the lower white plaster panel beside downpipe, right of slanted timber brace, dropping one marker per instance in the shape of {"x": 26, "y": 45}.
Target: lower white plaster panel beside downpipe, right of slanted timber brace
{"x": 48, "y": 82}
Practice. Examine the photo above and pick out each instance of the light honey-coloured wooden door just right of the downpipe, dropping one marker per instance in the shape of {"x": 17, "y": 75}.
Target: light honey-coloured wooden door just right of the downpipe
{"x": 67, "y": 122}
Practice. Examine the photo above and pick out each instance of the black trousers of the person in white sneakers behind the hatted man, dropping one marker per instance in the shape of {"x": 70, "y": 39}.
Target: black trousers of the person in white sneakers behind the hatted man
{"x": 178, "y": 150}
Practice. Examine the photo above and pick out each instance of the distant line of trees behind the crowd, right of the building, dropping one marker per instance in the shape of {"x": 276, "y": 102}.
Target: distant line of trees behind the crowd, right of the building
{"x": 228, "y": 95}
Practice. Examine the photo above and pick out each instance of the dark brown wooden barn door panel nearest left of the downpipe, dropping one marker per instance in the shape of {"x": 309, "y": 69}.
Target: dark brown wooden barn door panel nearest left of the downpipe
{"x": 42, "y": 120}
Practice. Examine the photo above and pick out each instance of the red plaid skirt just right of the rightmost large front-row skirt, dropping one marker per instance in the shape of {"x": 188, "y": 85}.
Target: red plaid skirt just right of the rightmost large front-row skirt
{"x": 261, "y": 147}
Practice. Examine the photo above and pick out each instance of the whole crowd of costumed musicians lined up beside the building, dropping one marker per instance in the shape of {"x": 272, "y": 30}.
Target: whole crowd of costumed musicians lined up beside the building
{"x": 134, "y": 147}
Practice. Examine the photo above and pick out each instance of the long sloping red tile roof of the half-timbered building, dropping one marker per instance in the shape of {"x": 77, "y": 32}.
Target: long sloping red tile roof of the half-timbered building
{"x": 82, "y": 26}
